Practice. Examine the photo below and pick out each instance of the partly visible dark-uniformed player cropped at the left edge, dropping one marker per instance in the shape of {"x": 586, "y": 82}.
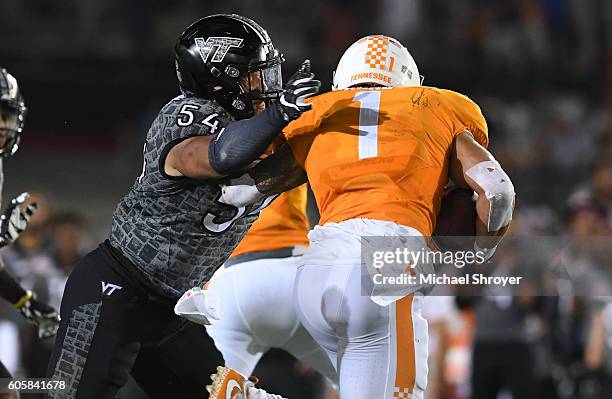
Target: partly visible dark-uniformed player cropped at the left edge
{"x": 14, "y": 220}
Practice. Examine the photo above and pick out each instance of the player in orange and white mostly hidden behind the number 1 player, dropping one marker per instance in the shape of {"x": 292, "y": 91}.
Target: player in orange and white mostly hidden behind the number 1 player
{"x": 255, "y": 291}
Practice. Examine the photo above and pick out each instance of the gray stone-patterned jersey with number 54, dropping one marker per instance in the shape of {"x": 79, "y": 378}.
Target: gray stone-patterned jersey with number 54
{"x": 173, "y": 229}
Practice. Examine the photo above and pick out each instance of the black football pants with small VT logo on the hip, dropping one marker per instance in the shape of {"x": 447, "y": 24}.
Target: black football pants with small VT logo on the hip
{"x": 110, "y": 328}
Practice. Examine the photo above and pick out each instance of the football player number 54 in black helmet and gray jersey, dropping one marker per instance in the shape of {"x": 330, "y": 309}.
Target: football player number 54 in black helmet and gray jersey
{"x": 175, "y": 227}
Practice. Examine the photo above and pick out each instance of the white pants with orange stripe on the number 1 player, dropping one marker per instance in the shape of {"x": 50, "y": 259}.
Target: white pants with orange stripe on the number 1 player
{"x": 381, "y": 351}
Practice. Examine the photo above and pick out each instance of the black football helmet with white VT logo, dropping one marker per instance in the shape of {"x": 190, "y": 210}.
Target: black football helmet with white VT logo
{"x": 216, "y": 53}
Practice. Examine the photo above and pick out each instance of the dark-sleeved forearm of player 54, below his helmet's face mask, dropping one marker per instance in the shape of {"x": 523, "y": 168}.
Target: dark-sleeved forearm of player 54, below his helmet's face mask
{"x": 241, "y": 142}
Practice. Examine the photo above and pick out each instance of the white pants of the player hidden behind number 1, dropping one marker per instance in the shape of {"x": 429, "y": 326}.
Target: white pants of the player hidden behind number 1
{"x": 257, "y": 313}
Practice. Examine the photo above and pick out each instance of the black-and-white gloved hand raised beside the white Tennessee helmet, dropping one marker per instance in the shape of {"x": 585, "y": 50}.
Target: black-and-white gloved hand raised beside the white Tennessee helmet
{"x": 301, "y": 85}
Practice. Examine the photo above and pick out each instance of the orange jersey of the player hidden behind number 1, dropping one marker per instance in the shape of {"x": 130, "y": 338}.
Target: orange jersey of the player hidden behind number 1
{"x": 283, "y": 224}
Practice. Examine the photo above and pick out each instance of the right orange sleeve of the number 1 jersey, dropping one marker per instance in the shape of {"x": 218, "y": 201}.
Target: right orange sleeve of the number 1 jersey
{"x": 464, "y": 114}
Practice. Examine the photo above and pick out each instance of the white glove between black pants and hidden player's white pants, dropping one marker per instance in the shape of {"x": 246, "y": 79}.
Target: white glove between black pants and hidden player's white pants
{"x": 198, "y": 305}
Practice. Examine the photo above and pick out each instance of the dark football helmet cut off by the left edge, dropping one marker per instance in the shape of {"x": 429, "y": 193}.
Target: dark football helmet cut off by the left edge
{"x": 12, "y": 114}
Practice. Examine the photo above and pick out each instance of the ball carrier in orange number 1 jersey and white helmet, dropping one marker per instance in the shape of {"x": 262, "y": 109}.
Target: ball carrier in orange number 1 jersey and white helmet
{"x": 378, "y": 151}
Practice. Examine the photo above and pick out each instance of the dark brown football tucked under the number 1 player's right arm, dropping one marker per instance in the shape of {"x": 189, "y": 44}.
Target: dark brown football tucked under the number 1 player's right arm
{"x": 456, "y": 223}
